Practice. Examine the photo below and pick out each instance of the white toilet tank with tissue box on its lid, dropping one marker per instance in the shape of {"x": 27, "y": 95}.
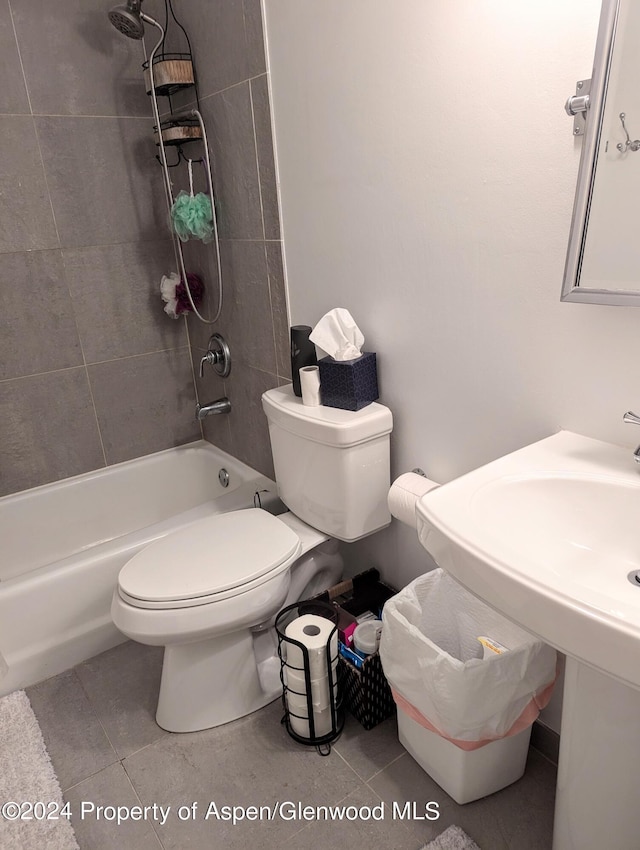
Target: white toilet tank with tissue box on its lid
{"x": 331, "y": 465}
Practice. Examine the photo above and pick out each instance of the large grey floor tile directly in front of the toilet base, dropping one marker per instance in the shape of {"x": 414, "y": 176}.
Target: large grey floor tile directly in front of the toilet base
{"x": 252, "y": 762}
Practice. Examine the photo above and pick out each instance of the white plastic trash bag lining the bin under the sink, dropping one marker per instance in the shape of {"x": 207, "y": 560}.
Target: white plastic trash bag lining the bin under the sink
{"x": 432, "y": 658}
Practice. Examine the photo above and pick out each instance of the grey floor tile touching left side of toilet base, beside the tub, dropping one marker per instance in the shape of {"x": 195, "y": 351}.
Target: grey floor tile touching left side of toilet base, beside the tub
{"x": 122, "y": 685}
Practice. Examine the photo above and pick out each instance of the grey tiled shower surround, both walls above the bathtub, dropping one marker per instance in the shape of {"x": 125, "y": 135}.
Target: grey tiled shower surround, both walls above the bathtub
{"x": 91, "y": 370}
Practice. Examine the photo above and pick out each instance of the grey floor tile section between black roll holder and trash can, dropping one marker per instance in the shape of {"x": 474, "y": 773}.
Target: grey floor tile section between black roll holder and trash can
{"x": 369, "y": 752}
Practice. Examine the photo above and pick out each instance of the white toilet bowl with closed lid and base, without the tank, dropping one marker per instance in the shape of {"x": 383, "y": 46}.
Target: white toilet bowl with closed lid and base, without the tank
{"x": 209, "y": 593}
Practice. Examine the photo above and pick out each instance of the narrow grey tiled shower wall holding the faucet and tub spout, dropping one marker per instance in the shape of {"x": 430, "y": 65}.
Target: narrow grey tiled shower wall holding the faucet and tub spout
{"x": 228, "y": 46}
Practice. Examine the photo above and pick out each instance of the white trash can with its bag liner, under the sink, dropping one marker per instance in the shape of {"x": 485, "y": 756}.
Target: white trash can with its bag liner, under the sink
{"x": 471, "y": 676}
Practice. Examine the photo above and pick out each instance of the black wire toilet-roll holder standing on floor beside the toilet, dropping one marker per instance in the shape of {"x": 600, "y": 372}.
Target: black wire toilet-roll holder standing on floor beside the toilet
{"x": 334, "y": 716}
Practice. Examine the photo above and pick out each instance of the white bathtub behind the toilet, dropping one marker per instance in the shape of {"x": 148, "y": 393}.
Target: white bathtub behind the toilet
{"x": 63, "y": 544}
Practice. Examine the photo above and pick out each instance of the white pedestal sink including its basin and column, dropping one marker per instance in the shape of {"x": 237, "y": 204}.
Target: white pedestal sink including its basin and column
{"x": 550, "y": 536}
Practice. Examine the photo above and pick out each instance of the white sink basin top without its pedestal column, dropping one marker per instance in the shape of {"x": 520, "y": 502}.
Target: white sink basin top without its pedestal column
{"x": 548, "y": 535}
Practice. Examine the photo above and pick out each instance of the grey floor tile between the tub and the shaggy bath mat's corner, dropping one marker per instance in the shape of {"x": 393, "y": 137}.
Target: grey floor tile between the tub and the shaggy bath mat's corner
{"x": 75, "y": 740}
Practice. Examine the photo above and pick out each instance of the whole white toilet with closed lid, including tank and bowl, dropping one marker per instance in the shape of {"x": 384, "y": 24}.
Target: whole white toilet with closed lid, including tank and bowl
{"x": 209, "y": 592}
